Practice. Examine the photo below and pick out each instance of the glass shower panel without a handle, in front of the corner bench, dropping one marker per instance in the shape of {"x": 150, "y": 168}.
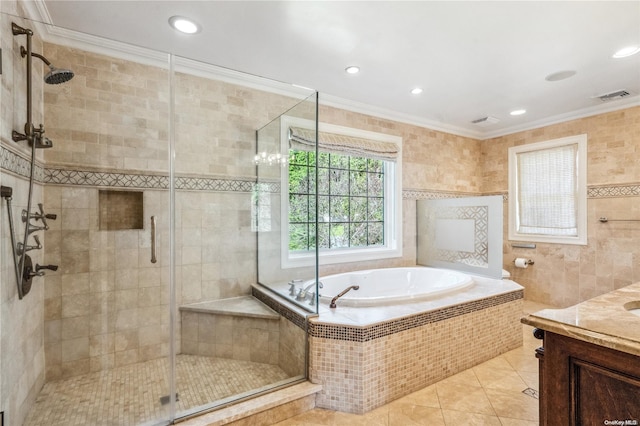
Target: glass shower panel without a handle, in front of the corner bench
{"x": 238, "y": 346}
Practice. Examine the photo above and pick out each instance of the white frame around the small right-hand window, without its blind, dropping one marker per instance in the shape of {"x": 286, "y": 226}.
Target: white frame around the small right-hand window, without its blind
{"x": 581, "y": 196}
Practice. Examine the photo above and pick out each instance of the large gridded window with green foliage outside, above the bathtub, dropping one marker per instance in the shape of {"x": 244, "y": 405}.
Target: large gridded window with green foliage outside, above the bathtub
{"x": 358, "y": 195}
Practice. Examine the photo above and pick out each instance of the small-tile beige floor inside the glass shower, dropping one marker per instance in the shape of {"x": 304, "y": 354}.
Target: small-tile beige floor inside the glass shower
{"x": 130, "y": 395}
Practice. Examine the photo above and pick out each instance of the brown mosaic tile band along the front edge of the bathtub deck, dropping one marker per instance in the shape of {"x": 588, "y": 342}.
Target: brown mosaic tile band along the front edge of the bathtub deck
{"x": 376, "y": 331}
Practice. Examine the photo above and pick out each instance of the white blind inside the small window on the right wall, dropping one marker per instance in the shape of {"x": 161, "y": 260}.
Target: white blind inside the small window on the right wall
{"x": 548, "y": 191}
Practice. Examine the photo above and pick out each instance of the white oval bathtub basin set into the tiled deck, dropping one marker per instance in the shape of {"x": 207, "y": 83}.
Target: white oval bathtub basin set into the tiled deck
{"x": 393, "y": 285}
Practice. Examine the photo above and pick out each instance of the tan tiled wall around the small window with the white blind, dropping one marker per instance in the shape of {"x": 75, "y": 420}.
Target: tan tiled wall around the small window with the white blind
{"x": 567, "y": 274}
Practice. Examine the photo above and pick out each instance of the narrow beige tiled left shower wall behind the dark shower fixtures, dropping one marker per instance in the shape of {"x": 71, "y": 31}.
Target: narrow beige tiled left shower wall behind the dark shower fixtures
{"x": 22, "y": 357}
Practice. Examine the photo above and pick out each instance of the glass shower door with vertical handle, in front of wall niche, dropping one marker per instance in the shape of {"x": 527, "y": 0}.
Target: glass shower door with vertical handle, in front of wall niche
{"x": 90, "y": 343}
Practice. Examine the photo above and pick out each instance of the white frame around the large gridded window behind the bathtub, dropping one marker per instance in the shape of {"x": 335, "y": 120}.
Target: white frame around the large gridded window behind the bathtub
{"x": 392, "y": 203}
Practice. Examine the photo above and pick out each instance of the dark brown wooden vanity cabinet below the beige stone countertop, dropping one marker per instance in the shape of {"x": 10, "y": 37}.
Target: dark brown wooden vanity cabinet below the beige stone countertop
{"x": 585, "y": 384}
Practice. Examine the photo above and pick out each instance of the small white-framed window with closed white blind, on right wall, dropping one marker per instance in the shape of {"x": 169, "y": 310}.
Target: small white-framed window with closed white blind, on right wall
{"x": 547, "y": 191}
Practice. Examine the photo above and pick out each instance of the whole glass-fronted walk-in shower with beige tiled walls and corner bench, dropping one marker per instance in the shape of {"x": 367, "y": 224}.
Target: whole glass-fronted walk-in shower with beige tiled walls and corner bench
{"x": 165, "y": 223}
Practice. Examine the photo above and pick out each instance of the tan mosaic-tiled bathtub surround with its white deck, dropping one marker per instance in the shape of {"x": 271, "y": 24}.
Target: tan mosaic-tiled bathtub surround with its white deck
{"x": 366, "y": 356}
